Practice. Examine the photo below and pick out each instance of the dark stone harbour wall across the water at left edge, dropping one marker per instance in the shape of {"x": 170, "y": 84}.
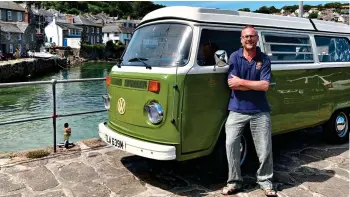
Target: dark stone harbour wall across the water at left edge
{"x": 24, "y": 70}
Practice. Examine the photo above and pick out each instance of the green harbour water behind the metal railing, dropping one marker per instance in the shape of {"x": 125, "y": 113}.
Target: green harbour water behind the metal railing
{"x": 36, "y": 101}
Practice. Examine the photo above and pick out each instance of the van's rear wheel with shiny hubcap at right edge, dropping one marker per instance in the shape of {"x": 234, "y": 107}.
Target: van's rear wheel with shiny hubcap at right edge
{"x": 336, "y": 129}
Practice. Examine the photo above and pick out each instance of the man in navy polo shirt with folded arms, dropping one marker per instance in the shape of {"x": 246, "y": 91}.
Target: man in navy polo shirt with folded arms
{"x": 249, "y": 78}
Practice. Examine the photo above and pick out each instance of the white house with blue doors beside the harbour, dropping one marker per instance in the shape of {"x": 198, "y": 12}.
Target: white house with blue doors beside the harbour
{"x": 63, "y": 34}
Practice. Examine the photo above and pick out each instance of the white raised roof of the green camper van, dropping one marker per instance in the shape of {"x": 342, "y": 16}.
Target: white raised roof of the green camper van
{"x": 231, "y": 17}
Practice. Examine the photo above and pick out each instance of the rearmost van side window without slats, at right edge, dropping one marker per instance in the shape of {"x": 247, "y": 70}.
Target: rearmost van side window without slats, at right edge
{"x": 332, "y": 49}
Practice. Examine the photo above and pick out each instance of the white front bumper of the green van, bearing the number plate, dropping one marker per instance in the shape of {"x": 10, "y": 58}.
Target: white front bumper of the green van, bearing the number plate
{"x": 135, "y": 146}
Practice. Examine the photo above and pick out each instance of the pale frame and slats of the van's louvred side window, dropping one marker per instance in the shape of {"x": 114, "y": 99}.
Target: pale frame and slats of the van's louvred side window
{"x": 264, "y": 33}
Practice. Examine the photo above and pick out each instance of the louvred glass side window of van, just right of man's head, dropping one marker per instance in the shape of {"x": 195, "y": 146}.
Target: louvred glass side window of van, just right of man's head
{"x": 287, "y": 48}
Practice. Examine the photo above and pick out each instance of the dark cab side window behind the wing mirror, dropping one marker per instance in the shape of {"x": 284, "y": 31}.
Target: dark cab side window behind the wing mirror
{"x": 213, "y": 40}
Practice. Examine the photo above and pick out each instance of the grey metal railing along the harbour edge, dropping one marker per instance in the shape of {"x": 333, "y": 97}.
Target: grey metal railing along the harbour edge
{"x": 54, "y": 116}
